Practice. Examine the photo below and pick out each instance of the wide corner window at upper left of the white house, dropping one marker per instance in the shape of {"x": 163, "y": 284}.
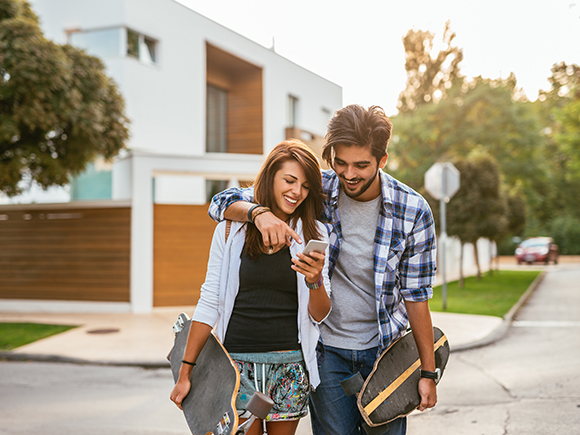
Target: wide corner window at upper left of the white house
{"x": 117, "y": 41}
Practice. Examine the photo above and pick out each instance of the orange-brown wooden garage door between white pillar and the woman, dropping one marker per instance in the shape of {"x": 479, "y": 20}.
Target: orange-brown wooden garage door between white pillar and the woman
{"x": 181, "y": 242}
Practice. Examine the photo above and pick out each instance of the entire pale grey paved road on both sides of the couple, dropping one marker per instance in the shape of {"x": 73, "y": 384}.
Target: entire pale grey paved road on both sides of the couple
{"x": 526, "y": 384}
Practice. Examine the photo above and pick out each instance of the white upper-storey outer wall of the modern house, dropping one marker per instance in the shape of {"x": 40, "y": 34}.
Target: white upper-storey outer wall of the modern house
{"x": 166, "y": 102}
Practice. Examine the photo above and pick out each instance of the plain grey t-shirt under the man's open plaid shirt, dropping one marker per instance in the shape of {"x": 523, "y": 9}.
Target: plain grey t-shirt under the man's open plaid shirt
{"x": 352, "y": 323}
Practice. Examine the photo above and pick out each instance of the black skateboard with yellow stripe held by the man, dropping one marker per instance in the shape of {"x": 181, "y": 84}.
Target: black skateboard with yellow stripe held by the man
{"x": 391, "y": 389}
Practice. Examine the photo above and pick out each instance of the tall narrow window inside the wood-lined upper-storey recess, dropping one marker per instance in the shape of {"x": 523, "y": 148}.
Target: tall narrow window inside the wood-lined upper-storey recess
{"x": 216, "y": 120}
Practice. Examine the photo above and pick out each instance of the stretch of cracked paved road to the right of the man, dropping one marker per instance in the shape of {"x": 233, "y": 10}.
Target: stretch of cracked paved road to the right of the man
{"x": 528, "y": 383}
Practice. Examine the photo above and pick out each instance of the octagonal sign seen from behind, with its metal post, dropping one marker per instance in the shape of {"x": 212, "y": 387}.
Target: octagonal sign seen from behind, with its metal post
{"x": 442, "y": 181}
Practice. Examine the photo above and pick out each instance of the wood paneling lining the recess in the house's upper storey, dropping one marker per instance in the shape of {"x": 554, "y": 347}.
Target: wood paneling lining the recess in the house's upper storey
{"x": 243, "y": 82}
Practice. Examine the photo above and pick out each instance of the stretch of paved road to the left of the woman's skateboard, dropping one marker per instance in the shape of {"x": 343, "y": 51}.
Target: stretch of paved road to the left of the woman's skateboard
{"x": 63, "y": 399}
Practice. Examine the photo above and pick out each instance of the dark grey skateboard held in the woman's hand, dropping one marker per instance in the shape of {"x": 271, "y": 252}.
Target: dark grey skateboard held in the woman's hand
{"x": 210, "y": 406}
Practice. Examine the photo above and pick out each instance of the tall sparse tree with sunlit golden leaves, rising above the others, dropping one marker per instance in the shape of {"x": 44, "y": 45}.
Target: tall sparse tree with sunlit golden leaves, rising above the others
{"x": 429, "y": 76}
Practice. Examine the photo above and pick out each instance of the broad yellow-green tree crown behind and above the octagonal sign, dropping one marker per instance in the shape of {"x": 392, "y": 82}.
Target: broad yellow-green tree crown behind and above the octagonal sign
{"x": 481, "y": 112}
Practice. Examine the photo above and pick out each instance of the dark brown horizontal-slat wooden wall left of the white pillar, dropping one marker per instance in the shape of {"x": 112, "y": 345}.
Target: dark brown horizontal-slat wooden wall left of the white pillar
{"x": 65, "y": 254}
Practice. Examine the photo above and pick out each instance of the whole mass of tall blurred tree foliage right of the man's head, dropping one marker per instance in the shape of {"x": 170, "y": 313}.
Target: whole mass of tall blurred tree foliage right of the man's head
{"x": 445, "y": 117}
